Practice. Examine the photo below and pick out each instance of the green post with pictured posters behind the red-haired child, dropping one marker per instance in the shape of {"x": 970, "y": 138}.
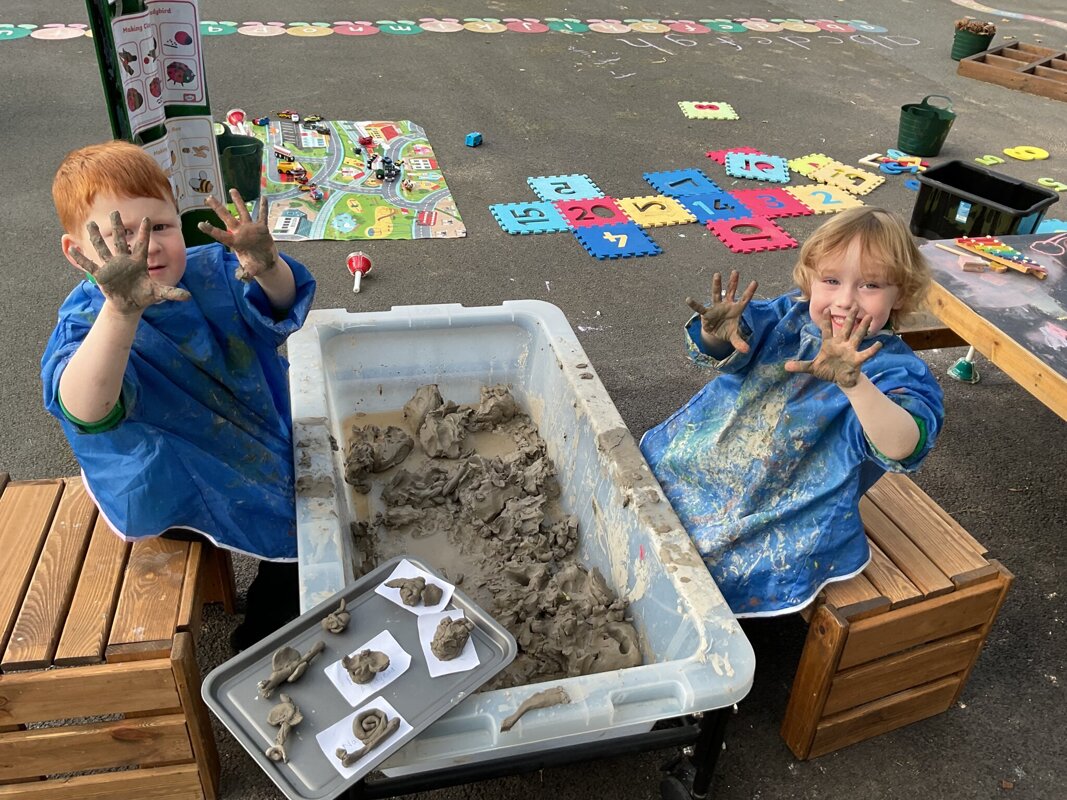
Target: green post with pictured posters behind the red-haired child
{"x": 152, "y": 68}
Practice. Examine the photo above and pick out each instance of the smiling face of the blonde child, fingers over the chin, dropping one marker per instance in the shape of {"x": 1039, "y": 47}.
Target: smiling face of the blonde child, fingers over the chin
{"x": 840, "y": 287}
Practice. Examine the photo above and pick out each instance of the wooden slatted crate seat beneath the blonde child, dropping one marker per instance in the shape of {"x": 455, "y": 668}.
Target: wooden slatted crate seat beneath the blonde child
{"x": 895, "y": 645}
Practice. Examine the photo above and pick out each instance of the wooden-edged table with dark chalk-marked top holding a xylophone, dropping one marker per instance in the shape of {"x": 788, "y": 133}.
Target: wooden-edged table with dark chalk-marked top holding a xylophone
{"x": 1017, "y": 322}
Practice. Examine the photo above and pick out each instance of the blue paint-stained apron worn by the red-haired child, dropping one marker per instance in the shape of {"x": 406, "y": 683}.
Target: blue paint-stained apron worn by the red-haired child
{"x": 206, "y": 442}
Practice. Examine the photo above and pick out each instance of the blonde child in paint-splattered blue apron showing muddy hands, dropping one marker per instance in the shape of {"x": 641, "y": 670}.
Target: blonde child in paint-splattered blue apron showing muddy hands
{"x": 817, "y": 399}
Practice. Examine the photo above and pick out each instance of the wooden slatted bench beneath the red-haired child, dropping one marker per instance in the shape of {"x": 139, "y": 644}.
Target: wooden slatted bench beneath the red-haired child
{"x": 94, "y": 628}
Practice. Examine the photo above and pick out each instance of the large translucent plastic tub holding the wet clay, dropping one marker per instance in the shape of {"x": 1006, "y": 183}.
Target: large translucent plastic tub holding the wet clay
{"x": 697, "y": 658}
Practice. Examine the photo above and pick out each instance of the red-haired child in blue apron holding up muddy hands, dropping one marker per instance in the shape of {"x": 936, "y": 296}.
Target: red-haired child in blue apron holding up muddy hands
{"x": 165, "y": 374}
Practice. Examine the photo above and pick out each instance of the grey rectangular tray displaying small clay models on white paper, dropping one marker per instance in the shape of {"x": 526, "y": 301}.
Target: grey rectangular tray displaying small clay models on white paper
{"x": 231, "y": 691}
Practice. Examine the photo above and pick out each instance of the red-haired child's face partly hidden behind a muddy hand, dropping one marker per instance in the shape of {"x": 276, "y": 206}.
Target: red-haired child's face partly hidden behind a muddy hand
{"x": 167, "y": 248}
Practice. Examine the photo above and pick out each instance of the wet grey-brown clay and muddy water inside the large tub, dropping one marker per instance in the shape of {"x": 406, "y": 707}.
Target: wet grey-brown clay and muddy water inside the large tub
{"x": 471, "y": 491}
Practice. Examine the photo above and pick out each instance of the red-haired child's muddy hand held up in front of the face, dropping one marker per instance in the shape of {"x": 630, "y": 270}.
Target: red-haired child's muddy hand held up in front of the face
{"x": 123, "y": 275}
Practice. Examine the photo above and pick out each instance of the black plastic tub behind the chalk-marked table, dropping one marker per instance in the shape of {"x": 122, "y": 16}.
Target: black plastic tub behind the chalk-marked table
{"x": 958, "y": 199}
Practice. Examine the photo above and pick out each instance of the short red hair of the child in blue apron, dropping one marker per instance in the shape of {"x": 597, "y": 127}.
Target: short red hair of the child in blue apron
{"x": 115, "y": 169}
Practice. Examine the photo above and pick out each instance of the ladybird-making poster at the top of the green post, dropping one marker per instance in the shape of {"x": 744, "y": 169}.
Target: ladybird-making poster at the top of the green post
{"x": 163, "y": 65}
